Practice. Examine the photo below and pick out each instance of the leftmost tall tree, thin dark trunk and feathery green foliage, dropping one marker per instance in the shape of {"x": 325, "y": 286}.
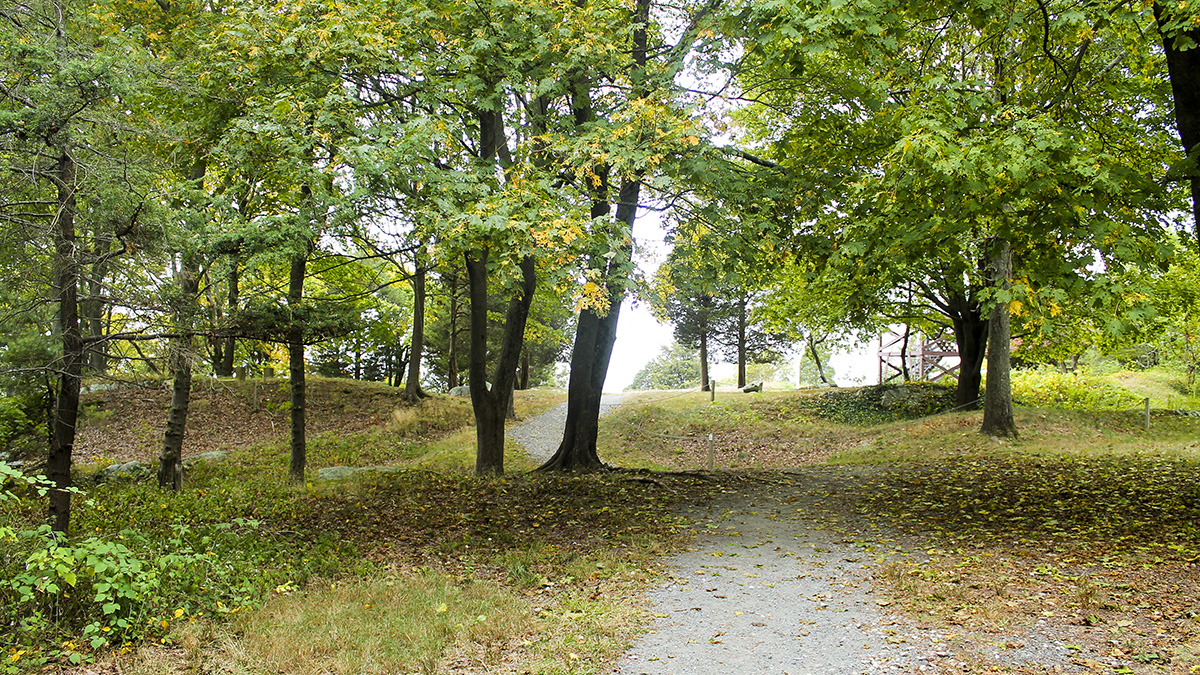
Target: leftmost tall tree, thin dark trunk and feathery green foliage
{"x": 58, "y": 77}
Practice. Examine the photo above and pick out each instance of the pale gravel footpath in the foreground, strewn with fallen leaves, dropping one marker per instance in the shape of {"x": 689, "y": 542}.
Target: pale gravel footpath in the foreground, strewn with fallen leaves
{"x": 764, "y": 592}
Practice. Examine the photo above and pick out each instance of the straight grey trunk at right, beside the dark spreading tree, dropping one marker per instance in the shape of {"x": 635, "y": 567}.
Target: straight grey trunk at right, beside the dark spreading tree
{"x": 998, "y": 405}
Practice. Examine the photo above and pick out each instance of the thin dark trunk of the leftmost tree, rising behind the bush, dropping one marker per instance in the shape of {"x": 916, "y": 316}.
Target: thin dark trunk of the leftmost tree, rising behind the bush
{"x": 67, "y": 408}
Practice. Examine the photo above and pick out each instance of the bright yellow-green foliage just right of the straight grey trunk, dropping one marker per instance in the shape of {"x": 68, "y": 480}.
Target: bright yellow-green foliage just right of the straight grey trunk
{"x": 1052, "y": 389}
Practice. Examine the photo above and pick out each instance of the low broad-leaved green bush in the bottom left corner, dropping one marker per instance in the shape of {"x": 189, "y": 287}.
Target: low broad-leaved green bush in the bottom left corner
{"x": 64, "y": 599}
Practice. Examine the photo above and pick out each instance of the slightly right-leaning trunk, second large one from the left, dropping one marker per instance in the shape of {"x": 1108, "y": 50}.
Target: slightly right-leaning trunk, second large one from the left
{"x": 171, "y": 467}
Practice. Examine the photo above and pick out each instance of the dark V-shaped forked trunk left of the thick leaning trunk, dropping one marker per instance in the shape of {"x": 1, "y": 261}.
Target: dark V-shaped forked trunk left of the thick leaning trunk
{"x": 491, "y": 407}
